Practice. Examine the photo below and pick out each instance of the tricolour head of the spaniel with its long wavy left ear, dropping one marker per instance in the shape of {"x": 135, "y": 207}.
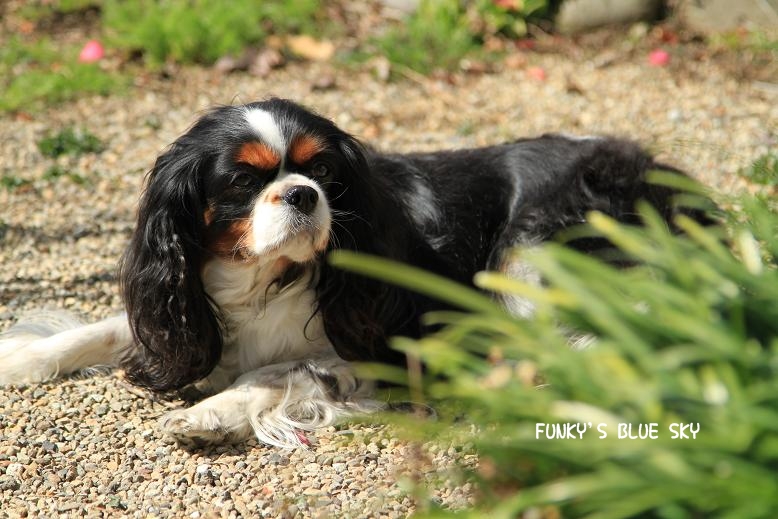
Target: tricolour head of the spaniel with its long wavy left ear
{"x": 253, "y": 183}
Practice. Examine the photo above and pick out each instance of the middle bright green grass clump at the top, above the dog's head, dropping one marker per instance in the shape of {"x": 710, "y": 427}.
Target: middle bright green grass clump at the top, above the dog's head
{"x": 200, "y": 31}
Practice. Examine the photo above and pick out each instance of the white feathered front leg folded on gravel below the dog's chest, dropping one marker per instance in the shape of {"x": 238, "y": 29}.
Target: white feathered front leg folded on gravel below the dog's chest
{"x": 275, "y": 403}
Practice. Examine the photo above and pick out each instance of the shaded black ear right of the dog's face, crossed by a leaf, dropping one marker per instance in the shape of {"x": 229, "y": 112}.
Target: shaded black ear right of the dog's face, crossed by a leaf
{"x": 359, "y": 313}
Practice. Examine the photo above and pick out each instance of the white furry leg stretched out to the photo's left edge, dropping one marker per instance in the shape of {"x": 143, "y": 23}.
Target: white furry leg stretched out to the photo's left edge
{"x": 50, "y": 344}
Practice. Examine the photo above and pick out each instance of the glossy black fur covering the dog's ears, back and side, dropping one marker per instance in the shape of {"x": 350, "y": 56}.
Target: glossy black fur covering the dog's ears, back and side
{"x": 451, "y": 212}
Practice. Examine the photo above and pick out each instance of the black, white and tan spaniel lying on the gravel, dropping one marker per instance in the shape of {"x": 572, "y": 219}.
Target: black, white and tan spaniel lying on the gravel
{"x": 225, "y": 282}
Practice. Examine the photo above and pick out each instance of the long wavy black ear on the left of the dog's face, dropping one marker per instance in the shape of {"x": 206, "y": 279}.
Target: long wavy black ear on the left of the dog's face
{"x": 175, "y": 325}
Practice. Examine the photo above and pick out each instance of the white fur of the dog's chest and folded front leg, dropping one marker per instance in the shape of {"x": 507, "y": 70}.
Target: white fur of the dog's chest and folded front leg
{"x": 269, "y": 335}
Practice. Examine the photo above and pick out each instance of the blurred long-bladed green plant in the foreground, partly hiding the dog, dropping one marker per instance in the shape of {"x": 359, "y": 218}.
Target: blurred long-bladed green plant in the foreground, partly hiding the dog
{"x": 691, "y": 337}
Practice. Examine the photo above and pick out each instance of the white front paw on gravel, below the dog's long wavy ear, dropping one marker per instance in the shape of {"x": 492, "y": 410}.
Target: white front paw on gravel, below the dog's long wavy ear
{"x": 192, "y": 427}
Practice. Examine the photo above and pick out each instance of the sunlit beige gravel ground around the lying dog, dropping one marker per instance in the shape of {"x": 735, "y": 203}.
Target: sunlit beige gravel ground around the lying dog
{"x": 89, "y": 446}
